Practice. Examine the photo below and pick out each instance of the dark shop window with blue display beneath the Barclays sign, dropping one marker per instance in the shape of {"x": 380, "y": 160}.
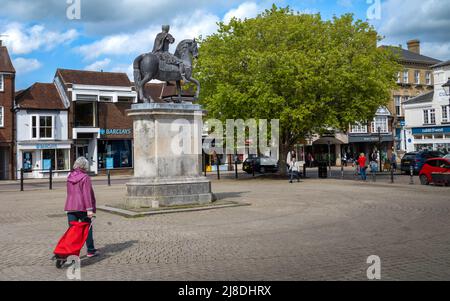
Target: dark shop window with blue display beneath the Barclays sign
{"x": 115, "y": 154}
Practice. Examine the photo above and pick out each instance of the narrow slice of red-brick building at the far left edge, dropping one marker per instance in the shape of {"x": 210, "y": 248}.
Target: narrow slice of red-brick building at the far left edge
{"x": 7, "y": 88}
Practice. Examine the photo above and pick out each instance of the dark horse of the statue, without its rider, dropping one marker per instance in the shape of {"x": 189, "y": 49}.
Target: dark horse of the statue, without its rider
{"x": 149, "y": 66}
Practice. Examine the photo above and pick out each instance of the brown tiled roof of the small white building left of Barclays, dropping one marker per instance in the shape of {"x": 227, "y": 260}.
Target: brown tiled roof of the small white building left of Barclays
{"x": 40, "y": 96}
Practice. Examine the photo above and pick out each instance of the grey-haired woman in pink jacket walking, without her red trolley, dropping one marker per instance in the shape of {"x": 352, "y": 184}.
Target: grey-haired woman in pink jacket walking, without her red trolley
{"x": 81, "y": 203}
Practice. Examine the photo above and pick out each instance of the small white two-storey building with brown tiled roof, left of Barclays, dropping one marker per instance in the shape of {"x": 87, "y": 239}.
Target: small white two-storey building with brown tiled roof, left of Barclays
{"x": 42, "y": 133}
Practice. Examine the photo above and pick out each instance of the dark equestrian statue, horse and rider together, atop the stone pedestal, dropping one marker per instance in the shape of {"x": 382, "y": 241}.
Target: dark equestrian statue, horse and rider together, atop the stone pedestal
{"x": 160, "y": 64}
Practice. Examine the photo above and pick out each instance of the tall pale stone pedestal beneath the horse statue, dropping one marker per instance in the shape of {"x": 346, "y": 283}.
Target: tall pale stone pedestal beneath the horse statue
{"x": 167, "y": 156}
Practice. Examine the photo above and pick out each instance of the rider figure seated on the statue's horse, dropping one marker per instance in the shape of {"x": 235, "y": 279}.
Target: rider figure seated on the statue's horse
{"x": 161, "y": 49}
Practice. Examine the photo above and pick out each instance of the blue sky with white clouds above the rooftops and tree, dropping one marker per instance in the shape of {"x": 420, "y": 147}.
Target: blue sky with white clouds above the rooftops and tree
{"x": 110, "y": 34}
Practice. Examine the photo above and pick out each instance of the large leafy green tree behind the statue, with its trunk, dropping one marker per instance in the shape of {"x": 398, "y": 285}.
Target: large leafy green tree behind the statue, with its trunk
{"x": 309, "y": 73}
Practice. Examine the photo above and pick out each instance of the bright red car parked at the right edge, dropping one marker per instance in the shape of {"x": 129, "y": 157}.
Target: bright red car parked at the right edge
{"x": 436, "y": 165}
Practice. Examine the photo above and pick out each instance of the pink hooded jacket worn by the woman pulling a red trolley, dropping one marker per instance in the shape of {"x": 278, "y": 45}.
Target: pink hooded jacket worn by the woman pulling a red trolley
{"x": 80, "y": 195}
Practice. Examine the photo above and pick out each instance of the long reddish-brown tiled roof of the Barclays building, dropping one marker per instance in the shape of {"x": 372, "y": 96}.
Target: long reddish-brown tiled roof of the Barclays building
{"x": 92, "y": 78}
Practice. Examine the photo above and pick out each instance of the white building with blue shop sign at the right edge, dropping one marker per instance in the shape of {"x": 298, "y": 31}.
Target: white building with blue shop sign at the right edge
{"x": 427, "y": 116}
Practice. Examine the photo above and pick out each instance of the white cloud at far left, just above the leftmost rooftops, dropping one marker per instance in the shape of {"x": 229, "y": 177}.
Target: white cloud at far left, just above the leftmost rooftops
{"x": 23, "y": 40}
